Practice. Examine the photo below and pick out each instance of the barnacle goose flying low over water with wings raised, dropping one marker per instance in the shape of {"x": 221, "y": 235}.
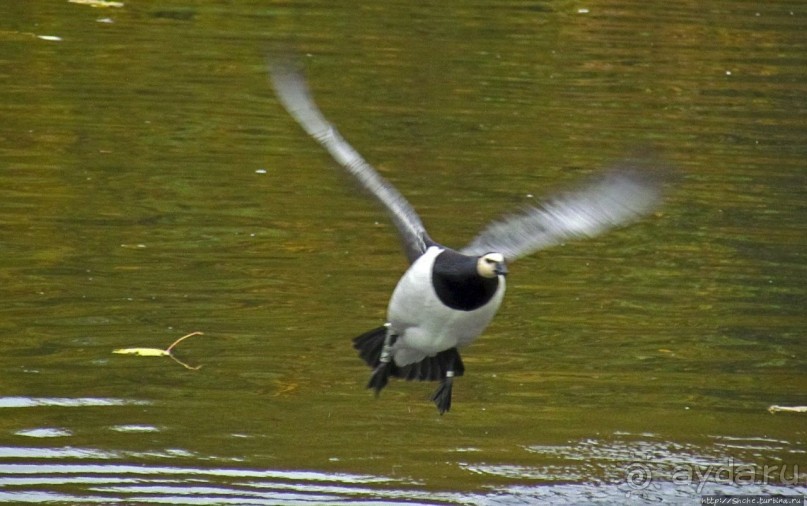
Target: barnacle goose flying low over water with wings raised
{"x": 447, "y": 297}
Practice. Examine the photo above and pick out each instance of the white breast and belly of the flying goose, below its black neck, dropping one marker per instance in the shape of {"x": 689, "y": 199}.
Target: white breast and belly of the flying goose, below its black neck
{"x": 424, "y": 325}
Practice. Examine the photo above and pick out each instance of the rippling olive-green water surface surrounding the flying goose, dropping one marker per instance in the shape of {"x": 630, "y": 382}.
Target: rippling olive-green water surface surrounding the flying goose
{"x": 151, "y": 186}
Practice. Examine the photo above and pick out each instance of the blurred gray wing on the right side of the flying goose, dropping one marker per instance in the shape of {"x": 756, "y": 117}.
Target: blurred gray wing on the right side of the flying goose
{"x": 621, "y": 197}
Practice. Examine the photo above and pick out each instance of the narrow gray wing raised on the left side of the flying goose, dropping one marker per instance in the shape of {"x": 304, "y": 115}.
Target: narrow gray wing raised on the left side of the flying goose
{"x": 293, "y": 93}
